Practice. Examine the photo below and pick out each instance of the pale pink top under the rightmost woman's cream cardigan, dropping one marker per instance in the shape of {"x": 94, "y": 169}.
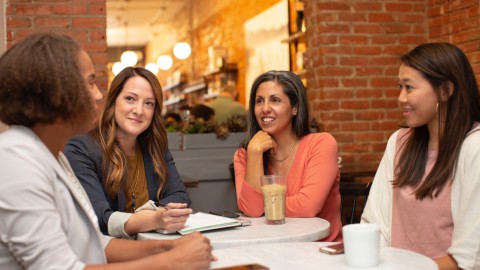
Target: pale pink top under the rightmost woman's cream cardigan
{"x": 424, "y": 226}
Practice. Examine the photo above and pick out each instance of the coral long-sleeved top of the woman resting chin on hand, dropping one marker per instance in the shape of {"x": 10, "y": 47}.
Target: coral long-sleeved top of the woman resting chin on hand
{"x": 312, "y": 183}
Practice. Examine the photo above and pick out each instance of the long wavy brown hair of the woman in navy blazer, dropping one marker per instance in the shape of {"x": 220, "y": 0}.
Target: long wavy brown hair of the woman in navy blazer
{"x": 114, "y": 166}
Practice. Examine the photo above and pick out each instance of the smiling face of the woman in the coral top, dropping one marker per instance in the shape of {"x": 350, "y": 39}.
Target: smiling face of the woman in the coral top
{"x": 273, "y": 110}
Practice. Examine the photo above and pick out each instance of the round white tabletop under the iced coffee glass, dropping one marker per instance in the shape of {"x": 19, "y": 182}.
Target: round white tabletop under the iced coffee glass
{"x": 294, "y": 230}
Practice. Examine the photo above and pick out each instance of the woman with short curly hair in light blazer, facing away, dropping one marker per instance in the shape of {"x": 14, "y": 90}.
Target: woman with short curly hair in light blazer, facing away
{"x": 49, "y": 94}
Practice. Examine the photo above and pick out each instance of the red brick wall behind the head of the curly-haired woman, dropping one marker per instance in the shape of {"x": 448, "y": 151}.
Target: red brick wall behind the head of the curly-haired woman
{"x": 85, "y": 21}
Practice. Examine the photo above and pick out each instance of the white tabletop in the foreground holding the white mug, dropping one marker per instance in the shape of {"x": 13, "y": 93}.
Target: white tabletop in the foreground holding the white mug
{"x": 306, "y": 255}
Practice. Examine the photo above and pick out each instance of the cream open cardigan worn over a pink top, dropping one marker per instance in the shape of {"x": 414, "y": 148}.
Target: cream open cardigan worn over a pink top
{"x": 465, "y": 199}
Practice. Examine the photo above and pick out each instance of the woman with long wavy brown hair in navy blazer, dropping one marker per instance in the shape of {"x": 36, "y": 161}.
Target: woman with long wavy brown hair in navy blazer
{"x": 124, "y": 163}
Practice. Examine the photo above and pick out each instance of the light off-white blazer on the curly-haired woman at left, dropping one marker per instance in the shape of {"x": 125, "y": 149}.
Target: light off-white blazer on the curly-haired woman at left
{"x": 47, "y": 221}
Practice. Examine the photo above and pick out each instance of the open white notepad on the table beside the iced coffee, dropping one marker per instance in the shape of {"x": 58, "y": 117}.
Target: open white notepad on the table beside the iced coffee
{"x": 205, "y": 222}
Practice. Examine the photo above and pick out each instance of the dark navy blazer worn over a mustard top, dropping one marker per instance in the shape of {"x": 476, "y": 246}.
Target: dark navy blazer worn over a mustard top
{"x": 85, "y": 157}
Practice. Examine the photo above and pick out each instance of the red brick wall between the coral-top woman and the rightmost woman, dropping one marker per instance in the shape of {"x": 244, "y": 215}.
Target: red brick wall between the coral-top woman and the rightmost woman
{"x": 352, "y": 62}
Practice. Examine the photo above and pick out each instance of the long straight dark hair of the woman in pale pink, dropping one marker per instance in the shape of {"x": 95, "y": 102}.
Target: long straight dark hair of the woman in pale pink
{"x": 444, "y": 66}
